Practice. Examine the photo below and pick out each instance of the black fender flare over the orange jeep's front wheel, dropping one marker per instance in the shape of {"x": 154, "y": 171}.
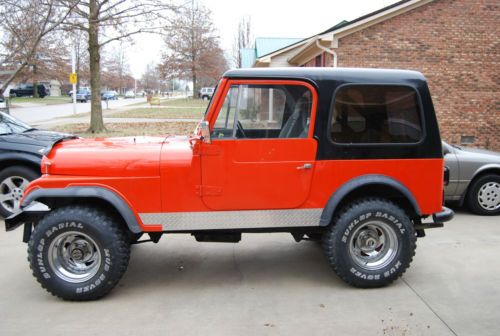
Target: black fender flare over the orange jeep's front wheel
{"x": 88, "y": 192}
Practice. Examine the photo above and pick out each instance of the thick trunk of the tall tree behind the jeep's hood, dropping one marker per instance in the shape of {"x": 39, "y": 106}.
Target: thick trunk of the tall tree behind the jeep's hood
{"x": 96, "y": 120}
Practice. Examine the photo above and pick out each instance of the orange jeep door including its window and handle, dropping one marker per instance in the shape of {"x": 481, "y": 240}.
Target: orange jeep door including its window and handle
{"x": 262, "y": 152}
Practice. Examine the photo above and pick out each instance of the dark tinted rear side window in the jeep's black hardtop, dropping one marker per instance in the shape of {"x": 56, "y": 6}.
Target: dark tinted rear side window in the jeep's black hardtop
{"x": 376, "y": 114}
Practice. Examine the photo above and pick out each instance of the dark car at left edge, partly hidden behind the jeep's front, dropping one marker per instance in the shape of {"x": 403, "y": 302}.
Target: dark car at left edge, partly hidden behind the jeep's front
{"x": 21, "y": 151}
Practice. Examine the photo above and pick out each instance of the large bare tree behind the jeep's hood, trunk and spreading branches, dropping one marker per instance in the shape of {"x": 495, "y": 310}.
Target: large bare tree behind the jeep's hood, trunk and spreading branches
{"x": 105, "y": 21}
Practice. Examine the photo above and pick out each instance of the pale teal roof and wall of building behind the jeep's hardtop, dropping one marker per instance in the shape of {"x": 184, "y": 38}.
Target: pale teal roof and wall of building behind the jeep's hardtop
{"x": 263, "y": 46}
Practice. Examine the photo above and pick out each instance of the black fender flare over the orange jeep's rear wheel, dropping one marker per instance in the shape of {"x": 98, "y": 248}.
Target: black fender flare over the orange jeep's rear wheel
{"x": 362, "y": 181}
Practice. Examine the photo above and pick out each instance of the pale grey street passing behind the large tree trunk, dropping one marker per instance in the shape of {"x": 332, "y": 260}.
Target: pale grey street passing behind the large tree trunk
{"x": 39, "y": 114}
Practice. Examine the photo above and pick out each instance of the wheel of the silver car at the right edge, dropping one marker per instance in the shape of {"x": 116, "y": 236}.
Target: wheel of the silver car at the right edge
{"x": 483, "y": 197}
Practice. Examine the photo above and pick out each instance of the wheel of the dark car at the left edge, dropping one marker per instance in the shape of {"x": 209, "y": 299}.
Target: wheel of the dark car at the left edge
{"x": 13, "y": 182}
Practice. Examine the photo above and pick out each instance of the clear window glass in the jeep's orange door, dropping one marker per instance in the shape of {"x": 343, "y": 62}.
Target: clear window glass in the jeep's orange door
{"x": 264, "y": 111}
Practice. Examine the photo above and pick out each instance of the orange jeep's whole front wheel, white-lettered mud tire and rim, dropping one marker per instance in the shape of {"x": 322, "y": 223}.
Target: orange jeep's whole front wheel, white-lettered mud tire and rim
{"x": 88, "y": 224}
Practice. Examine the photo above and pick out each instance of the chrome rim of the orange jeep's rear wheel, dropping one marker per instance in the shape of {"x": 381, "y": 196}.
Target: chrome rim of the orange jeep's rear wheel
{"x": 373, "y": 245}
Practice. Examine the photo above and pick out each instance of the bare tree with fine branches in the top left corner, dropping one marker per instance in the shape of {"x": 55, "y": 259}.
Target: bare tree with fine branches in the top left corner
{"x": 25, "y": 25}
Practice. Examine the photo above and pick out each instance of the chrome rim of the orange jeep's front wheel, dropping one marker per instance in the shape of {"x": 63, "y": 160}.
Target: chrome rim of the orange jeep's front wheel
{"x": 74, "y": 257}
